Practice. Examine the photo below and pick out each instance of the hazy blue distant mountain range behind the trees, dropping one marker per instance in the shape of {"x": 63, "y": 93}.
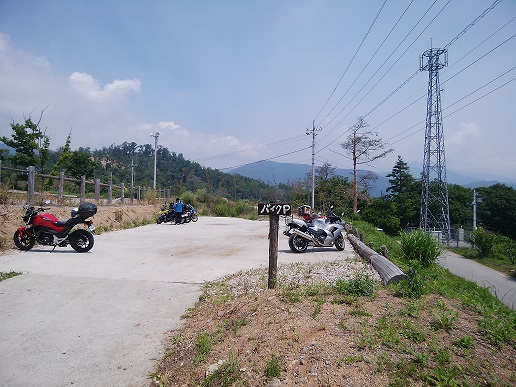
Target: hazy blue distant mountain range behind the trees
{"x": 274, "y": 173}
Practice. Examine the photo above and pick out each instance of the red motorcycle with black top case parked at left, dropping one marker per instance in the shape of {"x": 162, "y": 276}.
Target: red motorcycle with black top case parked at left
{"x": 46, "y": 229}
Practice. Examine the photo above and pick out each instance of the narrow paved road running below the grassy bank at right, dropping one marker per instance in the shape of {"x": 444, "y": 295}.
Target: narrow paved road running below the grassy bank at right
{"x": 500, "y": 285}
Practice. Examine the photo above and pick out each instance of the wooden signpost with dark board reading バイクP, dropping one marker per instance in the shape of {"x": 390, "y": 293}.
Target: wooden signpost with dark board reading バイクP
{"x": 274, "y": 210}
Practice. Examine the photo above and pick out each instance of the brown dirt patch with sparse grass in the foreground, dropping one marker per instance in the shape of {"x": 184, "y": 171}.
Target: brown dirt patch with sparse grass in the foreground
{"x": 239, "y": 330}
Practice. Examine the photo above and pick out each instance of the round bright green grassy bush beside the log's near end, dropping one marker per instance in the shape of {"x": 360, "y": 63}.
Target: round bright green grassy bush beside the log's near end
{"x": 421, "y": 247}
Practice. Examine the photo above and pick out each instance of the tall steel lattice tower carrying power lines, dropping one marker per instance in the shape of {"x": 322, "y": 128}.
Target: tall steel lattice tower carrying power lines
{"x": 435, "y": 212}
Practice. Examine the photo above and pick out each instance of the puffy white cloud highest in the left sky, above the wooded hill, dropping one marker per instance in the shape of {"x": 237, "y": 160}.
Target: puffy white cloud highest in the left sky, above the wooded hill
{"x": 87, "y": 86}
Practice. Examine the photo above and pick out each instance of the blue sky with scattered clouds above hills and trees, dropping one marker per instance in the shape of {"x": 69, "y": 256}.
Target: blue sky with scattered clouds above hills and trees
{"x": 227, "y": 83}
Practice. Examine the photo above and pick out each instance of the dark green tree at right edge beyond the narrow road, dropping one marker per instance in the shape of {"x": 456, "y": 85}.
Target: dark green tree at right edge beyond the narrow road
{"x": 497, "y": 210}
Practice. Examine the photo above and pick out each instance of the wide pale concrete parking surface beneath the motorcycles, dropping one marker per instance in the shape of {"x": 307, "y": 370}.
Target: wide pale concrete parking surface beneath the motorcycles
{"x": 100, "y": 318}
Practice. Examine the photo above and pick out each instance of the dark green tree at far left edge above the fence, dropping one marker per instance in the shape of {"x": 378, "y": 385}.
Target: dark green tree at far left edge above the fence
{"x": 30, "y": 144}
